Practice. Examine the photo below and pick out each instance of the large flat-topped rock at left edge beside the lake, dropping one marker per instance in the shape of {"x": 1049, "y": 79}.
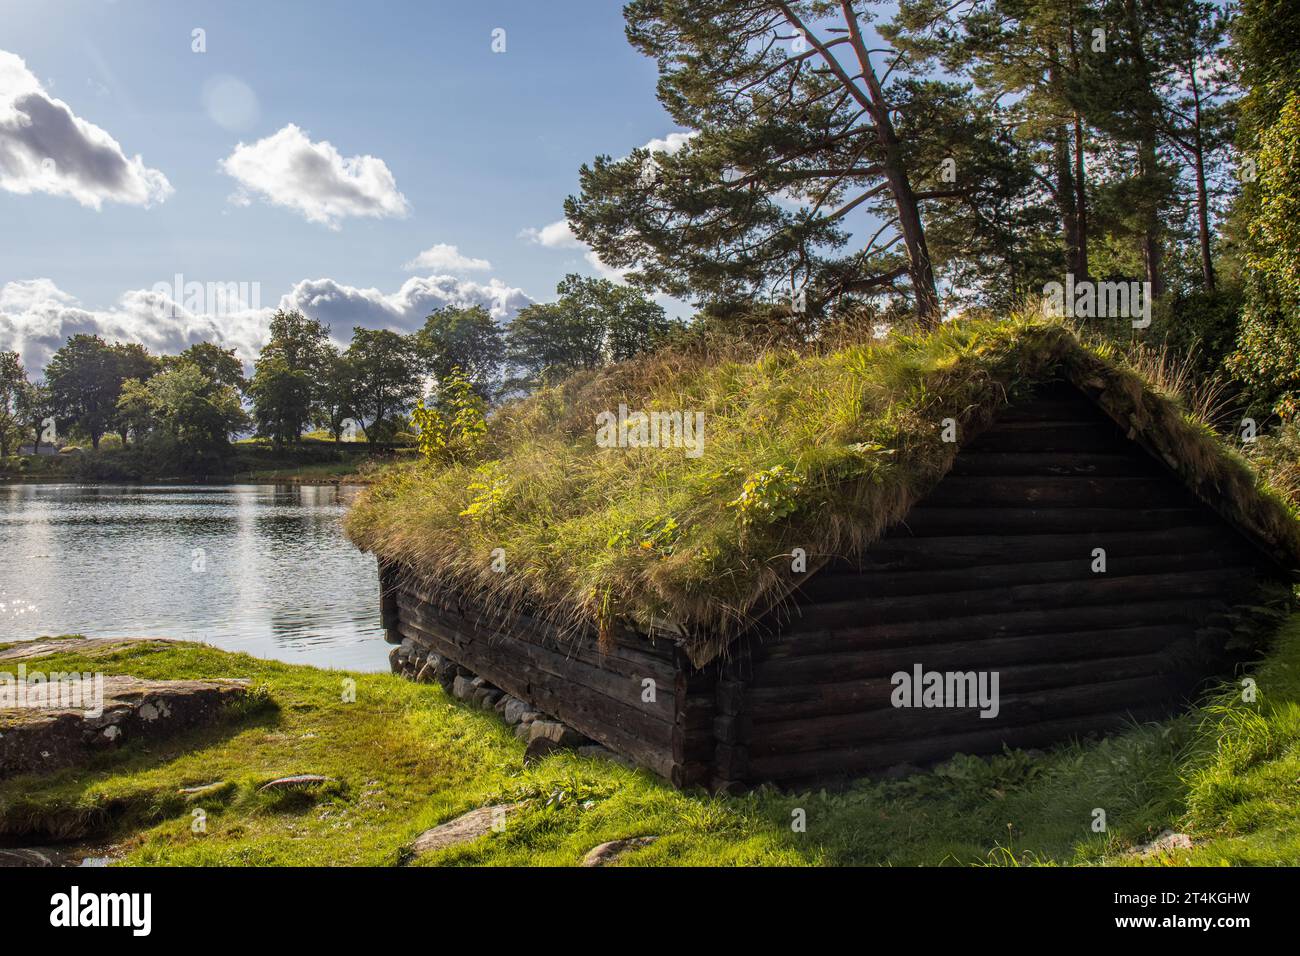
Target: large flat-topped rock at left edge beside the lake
{"x": 53, "y": 725}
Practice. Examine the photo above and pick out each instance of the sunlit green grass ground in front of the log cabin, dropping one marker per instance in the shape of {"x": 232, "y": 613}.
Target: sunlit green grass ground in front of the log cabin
{"x": 408, "y": 758}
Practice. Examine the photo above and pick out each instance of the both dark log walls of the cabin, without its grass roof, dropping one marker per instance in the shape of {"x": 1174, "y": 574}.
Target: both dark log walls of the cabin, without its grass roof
{"x": 996, "y": 570}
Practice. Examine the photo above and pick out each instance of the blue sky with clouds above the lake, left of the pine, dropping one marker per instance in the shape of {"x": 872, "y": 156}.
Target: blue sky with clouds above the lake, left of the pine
{"x": 480, "y": 146}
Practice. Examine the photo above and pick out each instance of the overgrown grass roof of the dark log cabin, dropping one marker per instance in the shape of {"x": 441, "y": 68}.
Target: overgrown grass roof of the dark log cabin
{"x": 821, "y": 452}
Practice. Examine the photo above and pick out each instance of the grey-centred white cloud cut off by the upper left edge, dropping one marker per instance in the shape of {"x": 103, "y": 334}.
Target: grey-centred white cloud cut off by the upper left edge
{"x": 45, "y": 148}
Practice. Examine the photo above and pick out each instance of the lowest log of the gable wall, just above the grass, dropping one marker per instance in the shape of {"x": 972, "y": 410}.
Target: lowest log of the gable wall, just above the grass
{"x": 851, "y": 762}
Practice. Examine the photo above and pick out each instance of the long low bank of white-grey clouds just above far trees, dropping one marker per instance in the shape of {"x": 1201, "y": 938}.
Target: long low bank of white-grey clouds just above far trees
{"x": 37, "y": 317}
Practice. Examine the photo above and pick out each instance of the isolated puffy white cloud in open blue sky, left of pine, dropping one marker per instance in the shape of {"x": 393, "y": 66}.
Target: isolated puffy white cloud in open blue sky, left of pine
{"x": 315, "y": 180}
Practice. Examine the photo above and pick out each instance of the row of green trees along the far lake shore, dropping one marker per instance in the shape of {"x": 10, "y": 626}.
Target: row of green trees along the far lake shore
{"x": 189, "y": 406}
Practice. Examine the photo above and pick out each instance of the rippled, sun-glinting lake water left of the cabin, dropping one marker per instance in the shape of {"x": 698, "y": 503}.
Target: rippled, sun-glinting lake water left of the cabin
{"x": 262, "y": 569}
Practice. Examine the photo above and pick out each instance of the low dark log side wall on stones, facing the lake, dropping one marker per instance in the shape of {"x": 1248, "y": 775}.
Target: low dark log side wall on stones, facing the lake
{"x": 599, "y": 691}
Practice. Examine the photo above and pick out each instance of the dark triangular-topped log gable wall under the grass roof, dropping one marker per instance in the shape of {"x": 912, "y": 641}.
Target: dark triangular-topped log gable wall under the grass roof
{"x": 994, "y": 572}
